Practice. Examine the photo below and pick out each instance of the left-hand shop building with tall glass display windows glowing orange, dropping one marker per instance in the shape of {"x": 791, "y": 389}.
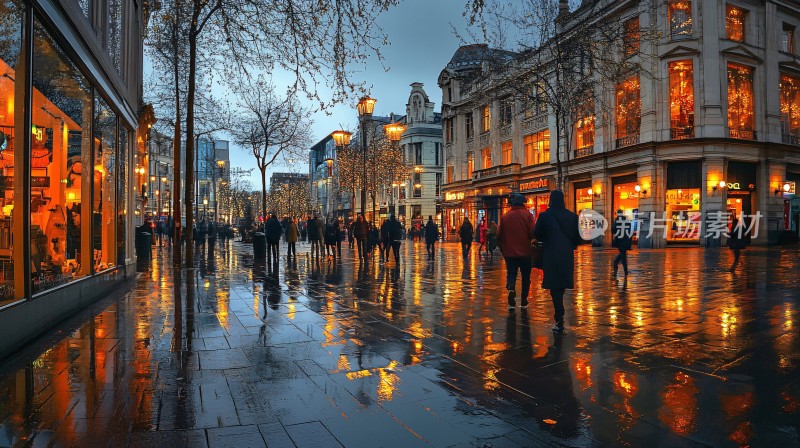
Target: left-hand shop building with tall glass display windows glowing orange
{"x": 71, "y": 117}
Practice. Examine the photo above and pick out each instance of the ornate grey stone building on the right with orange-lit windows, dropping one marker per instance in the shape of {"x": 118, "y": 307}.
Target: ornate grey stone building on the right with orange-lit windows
{"x": 713, "y": 132}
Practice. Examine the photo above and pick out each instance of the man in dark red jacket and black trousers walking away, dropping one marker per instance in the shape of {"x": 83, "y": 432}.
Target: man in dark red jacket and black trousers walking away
{"x": 514, "y": 235}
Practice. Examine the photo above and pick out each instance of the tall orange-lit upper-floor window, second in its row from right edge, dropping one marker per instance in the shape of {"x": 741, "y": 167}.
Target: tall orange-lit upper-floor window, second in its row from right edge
{"x": 741, "y": 107}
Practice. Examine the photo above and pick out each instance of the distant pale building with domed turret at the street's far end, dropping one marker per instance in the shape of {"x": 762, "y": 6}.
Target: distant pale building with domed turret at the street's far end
{"x": 418, "y": 193}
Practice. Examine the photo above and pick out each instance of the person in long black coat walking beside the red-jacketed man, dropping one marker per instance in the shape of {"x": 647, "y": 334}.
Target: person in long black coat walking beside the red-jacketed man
{"x": 558, "y": 229}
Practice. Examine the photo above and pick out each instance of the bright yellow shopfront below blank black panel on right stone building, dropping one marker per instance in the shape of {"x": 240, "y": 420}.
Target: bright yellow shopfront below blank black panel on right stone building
{"x": 684, "y": 180}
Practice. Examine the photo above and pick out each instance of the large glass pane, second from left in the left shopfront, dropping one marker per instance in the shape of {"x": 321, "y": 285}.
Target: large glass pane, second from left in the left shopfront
{"x": 60, "y": 166}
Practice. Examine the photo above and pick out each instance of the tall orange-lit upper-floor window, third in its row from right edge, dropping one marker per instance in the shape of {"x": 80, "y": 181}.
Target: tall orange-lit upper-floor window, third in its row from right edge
{"x": 681, "y": 100}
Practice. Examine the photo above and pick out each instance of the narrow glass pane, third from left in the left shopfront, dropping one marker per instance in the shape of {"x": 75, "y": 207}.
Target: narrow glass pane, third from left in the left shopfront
{"x": 104, "y": 208}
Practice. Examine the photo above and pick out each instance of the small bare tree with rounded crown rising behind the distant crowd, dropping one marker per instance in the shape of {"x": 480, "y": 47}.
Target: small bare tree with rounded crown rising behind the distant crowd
{"x": 270, "y": 126}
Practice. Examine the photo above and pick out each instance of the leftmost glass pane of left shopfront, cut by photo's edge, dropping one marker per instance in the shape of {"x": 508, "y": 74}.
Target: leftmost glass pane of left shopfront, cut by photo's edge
{"x": 11, "y": 20}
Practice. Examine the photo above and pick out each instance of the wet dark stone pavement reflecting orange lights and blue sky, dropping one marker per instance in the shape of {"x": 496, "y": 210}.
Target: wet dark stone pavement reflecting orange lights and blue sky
{"x": 422, "y": 353}
